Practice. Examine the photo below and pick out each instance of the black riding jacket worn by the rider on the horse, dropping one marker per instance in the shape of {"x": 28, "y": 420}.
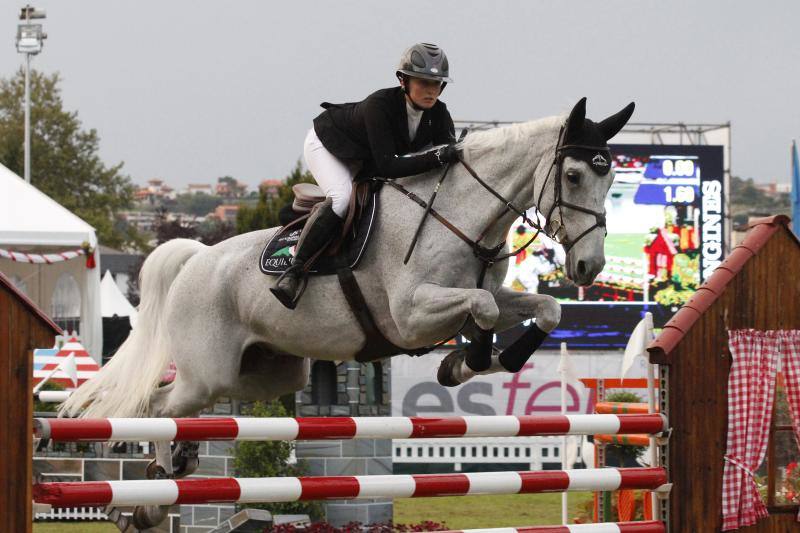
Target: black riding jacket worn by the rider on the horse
{"x": 374, "y": 131}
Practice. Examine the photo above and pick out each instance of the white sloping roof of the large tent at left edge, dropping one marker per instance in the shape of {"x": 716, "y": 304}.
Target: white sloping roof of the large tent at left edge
{"x": 30, "y": 217}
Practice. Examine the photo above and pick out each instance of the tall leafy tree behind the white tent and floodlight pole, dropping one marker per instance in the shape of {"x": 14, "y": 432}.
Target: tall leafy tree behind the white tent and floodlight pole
{"x": 65, "y": 163}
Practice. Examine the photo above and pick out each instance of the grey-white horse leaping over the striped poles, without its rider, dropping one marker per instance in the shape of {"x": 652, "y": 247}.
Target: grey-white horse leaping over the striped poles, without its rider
{"x": 209, "y": 310}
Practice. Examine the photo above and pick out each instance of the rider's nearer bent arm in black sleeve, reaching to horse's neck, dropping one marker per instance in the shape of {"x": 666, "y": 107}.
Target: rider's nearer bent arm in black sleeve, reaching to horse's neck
{"x": 384, "y": 150}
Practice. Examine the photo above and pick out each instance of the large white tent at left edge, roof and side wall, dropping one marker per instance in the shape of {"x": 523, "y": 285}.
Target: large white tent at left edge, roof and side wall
{"x": 33, "y": 223}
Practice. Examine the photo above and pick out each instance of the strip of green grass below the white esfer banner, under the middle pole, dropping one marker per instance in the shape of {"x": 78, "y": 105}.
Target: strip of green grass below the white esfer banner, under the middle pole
{"x": 465, "y": 512}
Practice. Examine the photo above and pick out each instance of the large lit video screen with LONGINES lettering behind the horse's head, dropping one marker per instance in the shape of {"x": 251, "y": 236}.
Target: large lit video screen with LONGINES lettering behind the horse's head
{"x": 665, "y": 221}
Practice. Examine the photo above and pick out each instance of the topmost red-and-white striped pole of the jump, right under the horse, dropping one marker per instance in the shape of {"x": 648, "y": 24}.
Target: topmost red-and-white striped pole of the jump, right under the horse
{"x": 201, "y": 429}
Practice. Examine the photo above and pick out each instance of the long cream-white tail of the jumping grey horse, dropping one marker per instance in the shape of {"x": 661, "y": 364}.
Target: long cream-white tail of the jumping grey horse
{"x": 124, "y": 385}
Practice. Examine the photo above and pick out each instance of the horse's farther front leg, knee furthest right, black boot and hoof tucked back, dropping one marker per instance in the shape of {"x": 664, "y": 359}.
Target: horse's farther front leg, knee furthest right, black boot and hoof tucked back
{"x": 515, "y": 307}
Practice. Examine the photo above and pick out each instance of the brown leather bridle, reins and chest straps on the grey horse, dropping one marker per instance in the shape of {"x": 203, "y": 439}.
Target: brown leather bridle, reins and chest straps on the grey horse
{"x": 490, "y": 256}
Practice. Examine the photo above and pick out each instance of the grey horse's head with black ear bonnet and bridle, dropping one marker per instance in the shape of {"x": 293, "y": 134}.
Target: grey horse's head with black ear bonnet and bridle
{"x": 573, "y": 194}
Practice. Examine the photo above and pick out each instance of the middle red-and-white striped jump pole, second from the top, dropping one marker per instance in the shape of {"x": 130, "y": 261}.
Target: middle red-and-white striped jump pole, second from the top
{"x": 288, "y": 489}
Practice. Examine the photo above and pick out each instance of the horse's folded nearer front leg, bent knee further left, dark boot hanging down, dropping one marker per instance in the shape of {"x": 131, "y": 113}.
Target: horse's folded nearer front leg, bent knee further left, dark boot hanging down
{"x": 435, "y": 309}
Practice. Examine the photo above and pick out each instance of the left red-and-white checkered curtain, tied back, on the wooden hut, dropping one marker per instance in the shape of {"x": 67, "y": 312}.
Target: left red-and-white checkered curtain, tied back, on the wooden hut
{"x": 751, "y": 393}
